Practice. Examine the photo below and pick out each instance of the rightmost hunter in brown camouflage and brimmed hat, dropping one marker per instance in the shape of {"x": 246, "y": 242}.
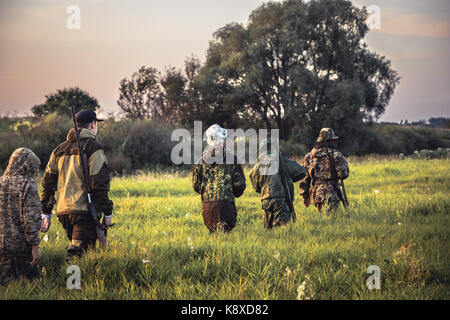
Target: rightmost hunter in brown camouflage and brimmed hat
{"x": 318, "y": 184}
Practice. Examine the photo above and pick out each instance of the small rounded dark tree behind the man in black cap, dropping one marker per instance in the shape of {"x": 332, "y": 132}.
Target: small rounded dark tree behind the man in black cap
{"x": 61, "y": 101}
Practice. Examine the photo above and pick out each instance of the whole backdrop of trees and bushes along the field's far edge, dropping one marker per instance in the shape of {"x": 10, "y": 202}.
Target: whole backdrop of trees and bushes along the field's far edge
{"x": 295, "y": 66}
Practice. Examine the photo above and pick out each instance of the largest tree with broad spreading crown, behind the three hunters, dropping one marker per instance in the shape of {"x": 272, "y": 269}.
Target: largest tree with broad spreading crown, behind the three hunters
{"x": 298, "y": 63}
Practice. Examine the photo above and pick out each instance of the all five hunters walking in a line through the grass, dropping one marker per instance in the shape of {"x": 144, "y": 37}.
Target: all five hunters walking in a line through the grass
{"x": 23, "y": 214}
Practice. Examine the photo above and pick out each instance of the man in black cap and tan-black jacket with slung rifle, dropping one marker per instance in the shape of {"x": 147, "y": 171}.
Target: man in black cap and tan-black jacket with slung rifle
{"x": 64, "y": 175}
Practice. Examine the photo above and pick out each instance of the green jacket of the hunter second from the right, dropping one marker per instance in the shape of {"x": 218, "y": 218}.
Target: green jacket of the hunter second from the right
{"x": 271, "y": 186}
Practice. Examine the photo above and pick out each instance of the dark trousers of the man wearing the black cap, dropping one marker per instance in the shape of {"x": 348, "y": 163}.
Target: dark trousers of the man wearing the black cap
{"x": 80, "y": 230}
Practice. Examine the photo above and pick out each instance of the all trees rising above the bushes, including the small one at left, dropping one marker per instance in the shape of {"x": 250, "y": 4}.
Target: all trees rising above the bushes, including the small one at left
{"x": 296, "y": 66}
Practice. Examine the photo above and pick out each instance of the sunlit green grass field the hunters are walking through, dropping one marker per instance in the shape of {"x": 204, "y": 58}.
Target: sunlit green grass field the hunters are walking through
{"x": 398, "y": 220}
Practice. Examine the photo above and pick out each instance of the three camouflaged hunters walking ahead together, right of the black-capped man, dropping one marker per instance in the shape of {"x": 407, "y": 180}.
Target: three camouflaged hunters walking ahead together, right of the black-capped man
{"x": 219, "y": 182}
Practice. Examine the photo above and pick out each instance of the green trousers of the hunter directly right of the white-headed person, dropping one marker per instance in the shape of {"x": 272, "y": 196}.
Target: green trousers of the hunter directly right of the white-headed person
{"x": 276, "y": 212}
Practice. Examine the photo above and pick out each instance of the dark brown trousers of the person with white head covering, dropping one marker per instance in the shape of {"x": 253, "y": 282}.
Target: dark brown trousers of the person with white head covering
{"x": 219, "y": 214}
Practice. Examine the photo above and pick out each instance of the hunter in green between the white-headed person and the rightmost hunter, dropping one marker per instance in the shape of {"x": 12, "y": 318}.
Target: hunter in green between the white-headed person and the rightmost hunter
{"x": 276, "y": 211}
